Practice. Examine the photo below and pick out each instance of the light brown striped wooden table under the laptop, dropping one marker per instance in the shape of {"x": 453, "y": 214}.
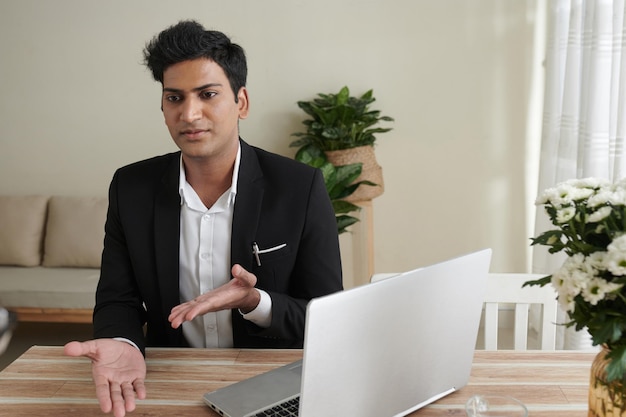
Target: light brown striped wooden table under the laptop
{"x": 43, "y": 382}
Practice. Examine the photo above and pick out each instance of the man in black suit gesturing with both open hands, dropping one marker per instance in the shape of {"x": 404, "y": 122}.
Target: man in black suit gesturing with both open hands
{"x": 218, "y": 245}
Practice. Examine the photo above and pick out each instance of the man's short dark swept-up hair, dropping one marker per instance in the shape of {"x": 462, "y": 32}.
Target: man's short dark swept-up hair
{"x": 188, "y": 40}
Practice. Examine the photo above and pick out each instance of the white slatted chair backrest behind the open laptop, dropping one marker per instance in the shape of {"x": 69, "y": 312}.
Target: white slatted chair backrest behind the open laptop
{"x": 506, "y": 288}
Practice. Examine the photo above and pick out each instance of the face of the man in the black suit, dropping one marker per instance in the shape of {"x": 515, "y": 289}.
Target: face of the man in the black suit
{"x": 200, "y": 109}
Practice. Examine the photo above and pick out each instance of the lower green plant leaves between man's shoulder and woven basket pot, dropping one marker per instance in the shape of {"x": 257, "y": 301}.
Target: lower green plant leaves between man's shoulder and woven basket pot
{"x": 340, "y": 183}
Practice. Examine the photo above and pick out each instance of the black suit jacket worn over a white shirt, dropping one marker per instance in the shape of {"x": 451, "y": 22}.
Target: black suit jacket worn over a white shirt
{"x": 278, "y": 201}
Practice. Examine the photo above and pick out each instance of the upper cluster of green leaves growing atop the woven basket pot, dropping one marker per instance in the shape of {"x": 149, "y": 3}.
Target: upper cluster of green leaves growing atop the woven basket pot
{"x": 340, "y": 121}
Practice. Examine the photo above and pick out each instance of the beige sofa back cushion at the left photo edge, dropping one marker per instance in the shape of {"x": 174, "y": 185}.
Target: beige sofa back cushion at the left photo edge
{"x": 22, "y": 220}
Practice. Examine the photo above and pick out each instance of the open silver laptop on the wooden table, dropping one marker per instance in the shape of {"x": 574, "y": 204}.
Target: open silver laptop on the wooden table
{"x": 383, "y": 349}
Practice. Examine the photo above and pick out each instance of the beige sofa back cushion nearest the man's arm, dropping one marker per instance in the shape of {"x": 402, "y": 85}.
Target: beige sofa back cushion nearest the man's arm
{"x": 75, "y": 231}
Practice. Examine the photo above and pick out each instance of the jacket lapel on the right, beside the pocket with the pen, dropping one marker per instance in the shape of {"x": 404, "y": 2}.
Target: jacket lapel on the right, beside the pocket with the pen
{"x": 250, "y": 190}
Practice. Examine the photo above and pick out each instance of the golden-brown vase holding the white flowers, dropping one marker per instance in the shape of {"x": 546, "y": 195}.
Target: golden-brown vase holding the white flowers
{"x": 605, "y": 398}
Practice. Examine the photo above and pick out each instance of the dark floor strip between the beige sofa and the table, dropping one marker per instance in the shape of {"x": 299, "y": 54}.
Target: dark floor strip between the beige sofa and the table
{"x": 50, "y": 334}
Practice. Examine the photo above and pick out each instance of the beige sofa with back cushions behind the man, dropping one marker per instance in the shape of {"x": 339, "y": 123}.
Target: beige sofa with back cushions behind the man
{"x": 50, "y": 251}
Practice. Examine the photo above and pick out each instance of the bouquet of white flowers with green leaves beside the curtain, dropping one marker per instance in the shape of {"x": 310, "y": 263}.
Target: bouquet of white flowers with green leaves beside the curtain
{"x": 590, "y": 219}
